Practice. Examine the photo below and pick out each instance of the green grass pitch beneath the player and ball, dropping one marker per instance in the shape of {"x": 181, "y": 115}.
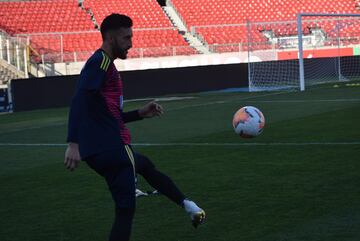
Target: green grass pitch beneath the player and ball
{"x": 299, "y": 180}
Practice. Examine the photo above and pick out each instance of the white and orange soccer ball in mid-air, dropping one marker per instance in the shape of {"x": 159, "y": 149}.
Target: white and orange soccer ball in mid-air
{"x": 248, "y": 122}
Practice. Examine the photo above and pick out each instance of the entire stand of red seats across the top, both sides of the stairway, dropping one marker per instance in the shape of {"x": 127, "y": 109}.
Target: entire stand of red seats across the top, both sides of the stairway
{"x": 65, "y": 30}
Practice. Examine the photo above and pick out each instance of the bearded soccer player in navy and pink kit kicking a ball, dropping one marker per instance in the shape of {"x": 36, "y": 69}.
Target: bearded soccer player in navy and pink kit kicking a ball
{"x": 97, "y": 133}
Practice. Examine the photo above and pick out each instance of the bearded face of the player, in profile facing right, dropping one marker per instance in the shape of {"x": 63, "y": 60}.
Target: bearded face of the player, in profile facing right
{"x": 121, "y": 42}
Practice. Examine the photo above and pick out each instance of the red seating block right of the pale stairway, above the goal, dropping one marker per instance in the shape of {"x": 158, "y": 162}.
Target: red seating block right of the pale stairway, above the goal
{"x": 236, "y": 13}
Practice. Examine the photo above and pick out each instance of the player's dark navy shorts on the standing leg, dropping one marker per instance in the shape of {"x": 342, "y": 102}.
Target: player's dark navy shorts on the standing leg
{"x": 117, "y": 167}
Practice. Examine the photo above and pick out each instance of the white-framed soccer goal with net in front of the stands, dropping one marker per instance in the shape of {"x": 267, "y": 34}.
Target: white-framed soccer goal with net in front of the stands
{"x": 315, "y": 48}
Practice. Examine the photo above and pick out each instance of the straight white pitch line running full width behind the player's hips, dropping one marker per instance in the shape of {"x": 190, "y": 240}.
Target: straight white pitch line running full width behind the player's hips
{"x": 198, "y": 144}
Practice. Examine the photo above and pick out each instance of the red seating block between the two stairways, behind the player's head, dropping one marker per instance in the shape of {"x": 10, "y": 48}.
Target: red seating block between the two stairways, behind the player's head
{"x": 154, "y": 34}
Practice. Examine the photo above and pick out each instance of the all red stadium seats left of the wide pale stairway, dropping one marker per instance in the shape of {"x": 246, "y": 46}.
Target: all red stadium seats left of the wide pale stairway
{"x": 67, "y": 28}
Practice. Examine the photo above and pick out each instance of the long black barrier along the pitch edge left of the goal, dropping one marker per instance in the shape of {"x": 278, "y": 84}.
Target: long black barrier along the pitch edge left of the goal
{"x": 57, "y": 91}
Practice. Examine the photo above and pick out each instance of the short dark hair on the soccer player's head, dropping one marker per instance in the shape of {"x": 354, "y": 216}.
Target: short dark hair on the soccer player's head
{"x": 113, "y": 22}
